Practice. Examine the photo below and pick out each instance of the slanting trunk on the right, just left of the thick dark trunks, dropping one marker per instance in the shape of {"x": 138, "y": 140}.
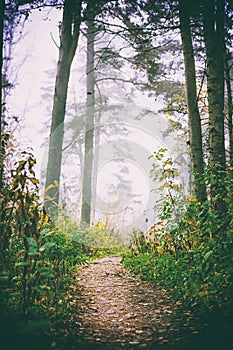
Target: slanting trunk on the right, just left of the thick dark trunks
{"x": 191, "y": 94}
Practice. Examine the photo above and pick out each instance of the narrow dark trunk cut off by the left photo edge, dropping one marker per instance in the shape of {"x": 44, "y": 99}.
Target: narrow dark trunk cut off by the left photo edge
{"x": 2, "y": 13}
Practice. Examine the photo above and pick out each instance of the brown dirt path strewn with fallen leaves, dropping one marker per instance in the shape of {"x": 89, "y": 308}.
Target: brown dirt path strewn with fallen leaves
{"x": 113, "y": 309}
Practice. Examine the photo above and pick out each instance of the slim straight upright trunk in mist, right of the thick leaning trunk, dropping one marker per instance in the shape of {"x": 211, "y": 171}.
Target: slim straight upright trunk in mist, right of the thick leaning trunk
{"x": 89, "y": 123}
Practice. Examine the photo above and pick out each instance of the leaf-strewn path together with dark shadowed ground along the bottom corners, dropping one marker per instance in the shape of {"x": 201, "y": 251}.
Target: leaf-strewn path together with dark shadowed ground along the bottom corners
{"x": 112, "y": 309}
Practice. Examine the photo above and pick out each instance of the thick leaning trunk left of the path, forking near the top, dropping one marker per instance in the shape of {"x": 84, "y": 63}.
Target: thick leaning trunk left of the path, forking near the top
{"x": 68, "y": 44}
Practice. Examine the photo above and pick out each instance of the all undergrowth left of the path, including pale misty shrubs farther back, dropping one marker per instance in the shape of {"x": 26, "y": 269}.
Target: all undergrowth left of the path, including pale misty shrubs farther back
{"x": 38, "y": 258}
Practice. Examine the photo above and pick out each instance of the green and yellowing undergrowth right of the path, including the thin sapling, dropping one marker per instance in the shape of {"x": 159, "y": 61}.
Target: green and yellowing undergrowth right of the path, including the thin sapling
{"x": 192, "y": 259}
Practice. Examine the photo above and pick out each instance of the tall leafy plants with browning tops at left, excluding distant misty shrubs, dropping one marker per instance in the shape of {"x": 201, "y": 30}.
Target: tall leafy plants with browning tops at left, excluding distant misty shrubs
{"x": 37, "y": 260}
